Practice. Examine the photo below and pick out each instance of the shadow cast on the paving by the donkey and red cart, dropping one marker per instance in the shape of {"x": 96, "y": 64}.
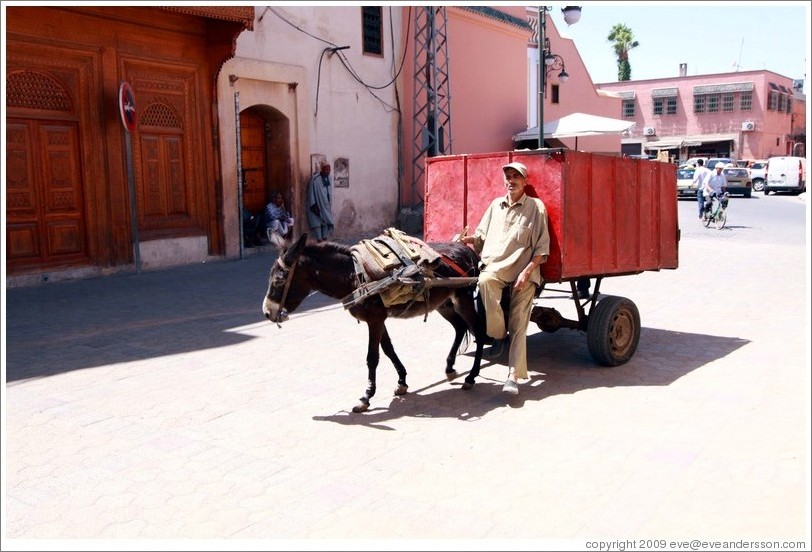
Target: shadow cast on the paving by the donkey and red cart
{"x": 559, "y": 364}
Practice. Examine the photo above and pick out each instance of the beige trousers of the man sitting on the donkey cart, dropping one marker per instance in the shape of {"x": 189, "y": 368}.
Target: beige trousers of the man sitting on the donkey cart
{"x": 521, "y": 305}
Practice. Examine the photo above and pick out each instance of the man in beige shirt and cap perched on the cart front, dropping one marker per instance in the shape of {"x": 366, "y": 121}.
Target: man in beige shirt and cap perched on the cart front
{"x": 512, "y": 240}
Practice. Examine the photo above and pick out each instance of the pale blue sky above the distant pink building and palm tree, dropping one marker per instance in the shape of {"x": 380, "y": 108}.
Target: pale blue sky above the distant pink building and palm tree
{"x": 710, "y": 37}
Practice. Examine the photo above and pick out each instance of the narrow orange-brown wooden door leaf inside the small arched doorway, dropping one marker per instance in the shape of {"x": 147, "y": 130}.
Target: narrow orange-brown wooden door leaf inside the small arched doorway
{"x": 254, "y": 161}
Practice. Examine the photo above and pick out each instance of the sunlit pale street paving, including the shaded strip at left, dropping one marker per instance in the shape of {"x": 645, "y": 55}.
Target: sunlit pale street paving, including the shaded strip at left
{"x": 163, "y": 406}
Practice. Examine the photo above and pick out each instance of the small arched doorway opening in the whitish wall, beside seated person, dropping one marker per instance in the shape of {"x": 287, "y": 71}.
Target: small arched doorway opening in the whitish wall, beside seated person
{"x": 266, "y": 166}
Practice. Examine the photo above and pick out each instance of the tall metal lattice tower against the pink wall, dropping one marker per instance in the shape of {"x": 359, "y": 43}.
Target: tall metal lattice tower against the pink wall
{"x": 432, "y": 97}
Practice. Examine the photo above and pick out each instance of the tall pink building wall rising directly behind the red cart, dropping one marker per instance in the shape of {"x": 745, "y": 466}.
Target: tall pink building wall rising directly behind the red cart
{"x": 492, "y": 86}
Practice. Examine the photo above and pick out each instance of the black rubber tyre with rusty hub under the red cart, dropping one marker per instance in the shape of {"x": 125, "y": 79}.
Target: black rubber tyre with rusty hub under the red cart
{"x": 613, "y": 330}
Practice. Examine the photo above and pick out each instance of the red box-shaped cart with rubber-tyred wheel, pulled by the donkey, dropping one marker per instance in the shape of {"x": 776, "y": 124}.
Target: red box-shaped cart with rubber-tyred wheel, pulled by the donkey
{"x": 608, "y": 216}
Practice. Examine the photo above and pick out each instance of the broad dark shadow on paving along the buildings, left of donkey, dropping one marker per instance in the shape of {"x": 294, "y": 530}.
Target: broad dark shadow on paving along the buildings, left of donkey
{"x": 72, "y": 325}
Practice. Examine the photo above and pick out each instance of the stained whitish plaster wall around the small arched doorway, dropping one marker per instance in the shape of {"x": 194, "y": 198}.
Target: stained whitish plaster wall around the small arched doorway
{"x": 277, "y": 64}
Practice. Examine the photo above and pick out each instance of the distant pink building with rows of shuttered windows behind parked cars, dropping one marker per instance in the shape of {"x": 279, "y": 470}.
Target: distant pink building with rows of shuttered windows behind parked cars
{"x": 744, "y": 115}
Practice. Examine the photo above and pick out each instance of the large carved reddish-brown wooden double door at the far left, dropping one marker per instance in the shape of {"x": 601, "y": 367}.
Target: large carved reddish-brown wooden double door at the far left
{"x": 45, "y": 223}
